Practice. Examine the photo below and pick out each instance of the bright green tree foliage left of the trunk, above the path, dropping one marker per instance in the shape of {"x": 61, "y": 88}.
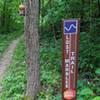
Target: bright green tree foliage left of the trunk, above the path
{"x": 9, "y": 17}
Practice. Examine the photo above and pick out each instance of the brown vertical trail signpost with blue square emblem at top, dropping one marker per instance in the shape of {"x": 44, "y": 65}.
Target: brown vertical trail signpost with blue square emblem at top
{"x": 70, "y": 59}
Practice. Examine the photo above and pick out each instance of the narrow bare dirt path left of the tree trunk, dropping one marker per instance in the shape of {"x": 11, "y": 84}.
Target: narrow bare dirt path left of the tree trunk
{"x": 6, "y": 59}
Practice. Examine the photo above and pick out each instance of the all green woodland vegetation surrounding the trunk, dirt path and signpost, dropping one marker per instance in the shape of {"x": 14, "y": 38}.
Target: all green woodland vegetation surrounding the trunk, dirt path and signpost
{"x": 51, "y": 14}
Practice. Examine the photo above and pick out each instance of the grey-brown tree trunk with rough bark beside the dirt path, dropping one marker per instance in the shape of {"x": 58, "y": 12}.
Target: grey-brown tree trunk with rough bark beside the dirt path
{"x": 32, "y": 45}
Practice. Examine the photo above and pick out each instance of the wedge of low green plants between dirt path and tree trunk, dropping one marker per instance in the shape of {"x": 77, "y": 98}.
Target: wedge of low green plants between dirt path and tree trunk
{"x": 14, "y": 83}
